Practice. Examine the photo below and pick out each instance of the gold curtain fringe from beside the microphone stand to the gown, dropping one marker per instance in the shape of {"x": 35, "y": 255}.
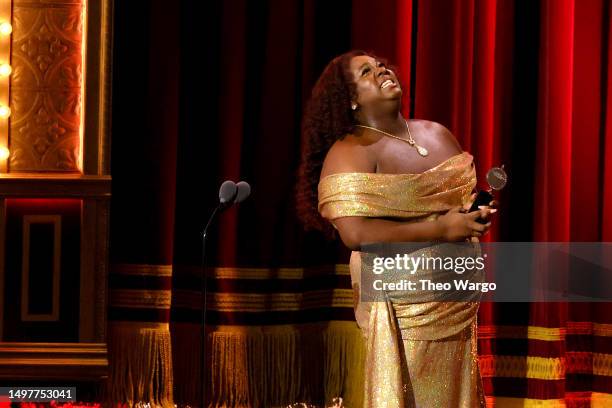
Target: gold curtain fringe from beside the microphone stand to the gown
{"x": 273, "y": 366}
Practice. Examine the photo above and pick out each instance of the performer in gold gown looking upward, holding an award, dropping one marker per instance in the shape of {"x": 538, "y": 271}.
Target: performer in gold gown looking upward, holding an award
{"x": 378, "y": 177}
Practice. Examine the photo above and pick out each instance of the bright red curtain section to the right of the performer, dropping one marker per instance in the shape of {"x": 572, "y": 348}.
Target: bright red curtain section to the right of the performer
{"x": 550, "y": 129}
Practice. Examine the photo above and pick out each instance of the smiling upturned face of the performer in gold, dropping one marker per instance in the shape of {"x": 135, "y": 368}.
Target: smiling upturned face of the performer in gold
{"x": 374, "y": 82}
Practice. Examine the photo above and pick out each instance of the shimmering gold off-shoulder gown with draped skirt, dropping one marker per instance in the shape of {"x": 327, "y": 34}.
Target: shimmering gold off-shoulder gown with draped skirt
{"x": 435, "y": 364}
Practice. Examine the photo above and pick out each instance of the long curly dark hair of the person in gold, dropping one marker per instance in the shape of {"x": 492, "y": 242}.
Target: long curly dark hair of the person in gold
{"x": 327, "y": 118}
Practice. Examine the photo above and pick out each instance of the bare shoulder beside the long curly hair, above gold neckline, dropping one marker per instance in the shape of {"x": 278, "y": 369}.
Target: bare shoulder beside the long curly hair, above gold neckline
{"x": 348, "y": 155}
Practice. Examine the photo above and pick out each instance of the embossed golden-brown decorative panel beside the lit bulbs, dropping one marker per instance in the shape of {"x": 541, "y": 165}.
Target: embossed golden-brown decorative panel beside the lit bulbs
{"x": 46, "y": 98}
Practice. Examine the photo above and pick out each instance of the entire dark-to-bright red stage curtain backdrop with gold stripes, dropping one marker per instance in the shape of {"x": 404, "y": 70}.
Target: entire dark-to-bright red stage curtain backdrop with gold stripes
{"x": 524, "y": 84}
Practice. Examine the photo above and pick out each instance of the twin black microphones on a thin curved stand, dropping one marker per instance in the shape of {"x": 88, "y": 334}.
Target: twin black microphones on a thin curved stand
{"x": 230, "y": 193}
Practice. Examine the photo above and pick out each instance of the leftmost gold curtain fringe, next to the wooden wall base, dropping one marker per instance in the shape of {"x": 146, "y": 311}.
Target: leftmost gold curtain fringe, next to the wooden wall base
{"x": 140, "y": 364}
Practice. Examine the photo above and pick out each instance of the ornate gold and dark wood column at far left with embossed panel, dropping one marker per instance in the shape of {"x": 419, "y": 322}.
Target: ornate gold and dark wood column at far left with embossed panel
{"x": 57, "y": 176}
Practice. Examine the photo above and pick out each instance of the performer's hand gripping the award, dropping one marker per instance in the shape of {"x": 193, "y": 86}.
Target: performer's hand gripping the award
{"x": 458, "y": 226}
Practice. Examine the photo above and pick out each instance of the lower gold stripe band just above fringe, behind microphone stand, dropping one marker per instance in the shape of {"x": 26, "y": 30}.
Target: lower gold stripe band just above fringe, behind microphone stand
{"x": 268, "y": 302}
